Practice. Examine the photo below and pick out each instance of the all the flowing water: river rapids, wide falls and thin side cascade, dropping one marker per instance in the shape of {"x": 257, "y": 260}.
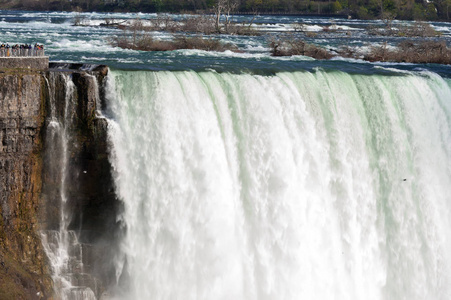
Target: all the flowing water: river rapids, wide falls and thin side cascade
{"x": 247, "y": 176}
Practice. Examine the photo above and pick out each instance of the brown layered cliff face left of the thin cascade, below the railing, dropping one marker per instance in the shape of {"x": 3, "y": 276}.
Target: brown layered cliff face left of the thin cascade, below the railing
{"x": 24, "y": 273}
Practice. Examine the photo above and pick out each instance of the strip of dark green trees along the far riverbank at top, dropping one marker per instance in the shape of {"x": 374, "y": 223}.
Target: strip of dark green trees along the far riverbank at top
{"x": 364, "y": 9}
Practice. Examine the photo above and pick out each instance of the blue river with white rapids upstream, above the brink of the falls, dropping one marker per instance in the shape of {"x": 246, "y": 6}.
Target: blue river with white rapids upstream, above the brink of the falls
{"x": 90, "y": 44}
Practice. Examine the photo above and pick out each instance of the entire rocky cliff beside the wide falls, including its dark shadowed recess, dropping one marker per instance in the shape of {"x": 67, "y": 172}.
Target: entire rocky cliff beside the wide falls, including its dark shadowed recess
{"x": 38, "y": 162}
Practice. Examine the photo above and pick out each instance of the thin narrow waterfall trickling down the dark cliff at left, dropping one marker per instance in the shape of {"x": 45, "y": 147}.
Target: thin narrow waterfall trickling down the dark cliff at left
{"x": 61, "y": 244}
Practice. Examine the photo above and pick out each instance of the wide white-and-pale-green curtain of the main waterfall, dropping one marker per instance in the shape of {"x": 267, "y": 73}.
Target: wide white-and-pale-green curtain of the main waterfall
{"x": 302, "y": 185}
